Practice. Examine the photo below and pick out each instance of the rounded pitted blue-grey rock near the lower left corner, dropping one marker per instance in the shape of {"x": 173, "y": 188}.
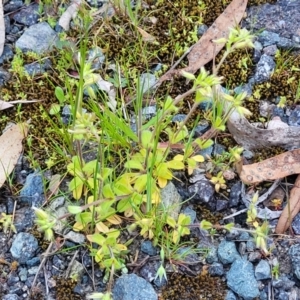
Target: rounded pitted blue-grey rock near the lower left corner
{"x": 24, "y": 247}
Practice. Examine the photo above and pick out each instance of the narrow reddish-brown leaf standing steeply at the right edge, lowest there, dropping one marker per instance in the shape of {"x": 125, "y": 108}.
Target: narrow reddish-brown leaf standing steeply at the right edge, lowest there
{"x": 290, "y": 211}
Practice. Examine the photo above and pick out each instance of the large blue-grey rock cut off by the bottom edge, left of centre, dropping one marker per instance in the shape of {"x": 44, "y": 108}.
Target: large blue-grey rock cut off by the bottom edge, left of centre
{"x": 132, "y": 287}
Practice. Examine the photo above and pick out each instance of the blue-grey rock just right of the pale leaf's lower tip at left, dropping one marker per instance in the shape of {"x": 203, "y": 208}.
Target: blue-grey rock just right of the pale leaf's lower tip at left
{"x": 33, "y": 189}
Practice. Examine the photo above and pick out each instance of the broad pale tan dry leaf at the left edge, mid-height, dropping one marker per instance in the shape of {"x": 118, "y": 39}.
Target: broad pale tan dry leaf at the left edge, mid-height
{"x": 11, "y": 148}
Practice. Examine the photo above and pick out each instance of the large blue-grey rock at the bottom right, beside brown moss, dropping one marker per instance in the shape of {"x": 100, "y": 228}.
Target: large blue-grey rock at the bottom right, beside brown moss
{"x": 240, "y": 279}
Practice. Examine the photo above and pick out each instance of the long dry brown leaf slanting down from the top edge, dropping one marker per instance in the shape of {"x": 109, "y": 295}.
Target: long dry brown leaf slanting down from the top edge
{"x": 205, "y": 50}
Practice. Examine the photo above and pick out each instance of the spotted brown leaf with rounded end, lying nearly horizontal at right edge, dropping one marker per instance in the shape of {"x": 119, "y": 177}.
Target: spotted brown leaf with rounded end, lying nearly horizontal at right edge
{"x": 276, "y": 167}
